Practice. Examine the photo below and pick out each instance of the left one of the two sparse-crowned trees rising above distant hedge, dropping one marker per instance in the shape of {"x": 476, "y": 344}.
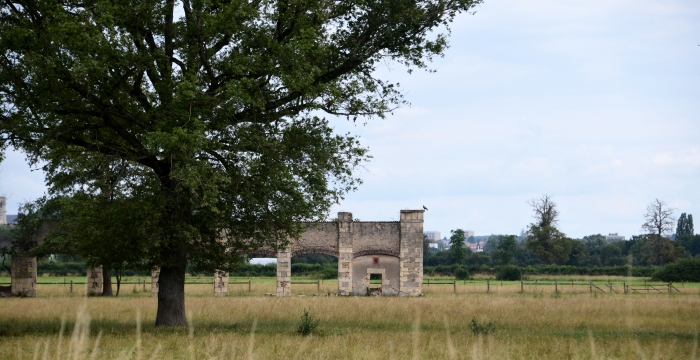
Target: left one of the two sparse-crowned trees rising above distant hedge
{"x": 543, "y": 238}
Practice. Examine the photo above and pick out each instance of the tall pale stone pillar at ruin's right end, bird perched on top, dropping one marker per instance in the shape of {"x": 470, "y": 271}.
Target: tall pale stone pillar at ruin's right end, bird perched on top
{"x": 411, "y": 253}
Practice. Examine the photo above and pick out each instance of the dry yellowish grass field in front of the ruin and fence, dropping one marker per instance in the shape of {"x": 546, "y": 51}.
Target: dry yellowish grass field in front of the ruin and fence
{"x": 535, "y": 324}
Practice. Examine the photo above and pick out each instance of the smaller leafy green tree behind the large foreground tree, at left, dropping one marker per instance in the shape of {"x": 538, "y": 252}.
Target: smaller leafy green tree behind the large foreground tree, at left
{"x": 103, "y": 198}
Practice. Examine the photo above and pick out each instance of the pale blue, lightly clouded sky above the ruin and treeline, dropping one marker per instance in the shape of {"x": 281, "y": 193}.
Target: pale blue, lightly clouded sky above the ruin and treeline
{"x": 595, "y": 103}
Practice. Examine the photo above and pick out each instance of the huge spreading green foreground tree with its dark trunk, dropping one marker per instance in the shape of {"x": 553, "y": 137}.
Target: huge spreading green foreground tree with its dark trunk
{"x": 217, "y": 106}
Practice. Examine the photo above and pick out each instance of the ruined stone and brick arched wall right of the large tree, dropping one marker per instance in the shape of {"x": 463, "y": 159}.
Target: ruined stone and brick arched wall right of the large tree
{"x": 390, "y": 251}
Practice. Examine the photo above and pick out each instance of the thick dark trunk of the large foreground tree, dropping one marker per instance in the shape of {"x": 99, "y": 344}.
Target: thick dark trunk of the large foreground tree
{"x": 171, "y": 291}
